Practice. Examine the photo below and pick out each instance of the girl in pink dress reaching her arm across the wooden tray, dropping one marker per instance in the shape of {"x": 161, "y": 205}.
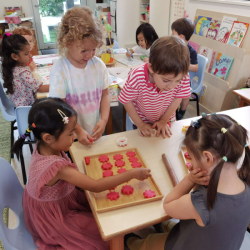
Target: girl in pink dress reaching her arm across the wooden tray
{"x": 56, "y": 212}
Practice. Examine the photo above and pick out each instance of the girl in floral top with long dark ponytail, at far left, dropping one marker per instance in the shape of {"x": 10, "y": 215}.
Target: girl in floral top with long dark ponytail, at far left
{"x": 18, "y": 79}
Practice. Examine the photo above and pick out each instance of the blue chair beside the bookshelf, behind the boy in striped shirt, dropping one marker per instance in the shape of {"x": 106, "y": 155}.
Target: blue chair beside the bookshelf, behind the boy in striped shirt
{"x": 196, "y": 86}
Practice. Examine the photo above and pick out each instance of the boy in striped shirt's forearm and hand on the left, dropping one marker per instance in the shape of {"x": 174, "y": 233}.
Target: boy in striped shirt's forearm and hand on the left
{"x": 145, "y": 129}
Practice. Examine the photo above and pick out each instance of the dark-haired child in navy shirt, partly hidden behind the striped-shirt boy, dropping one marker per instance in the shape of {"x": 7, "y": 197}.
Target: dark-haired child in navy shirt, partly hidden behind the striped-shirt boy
{"x": 184, "y": 28}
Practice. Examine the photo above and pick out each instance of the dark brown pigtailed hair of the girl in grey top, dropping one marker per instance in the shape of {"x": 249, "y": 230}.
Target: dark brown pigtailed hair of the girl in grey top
{"x": 207, "y": 136}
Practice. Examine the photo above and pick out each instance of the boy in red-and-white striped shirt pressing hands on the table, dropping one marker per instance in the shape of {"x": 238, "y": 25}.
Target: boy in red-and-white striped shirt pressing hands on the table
{"x": 154, "y": 90}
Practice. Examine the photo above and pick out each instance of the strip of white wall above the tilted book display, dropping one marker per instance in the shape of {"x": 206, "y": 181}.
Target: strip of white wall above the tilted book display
{"x": 192, "y": 6}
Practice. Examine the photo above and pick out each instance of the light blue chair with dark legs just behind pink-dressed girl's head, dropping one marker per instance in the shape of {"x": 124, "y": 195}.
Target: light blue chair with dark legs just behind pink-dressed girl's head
{"x": 22, "y": 113}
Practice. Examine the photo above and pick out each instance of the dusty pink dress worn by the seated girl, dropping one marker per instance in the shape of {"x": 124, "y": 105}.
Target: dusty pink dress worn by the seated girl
{"x": 58, "y": 216}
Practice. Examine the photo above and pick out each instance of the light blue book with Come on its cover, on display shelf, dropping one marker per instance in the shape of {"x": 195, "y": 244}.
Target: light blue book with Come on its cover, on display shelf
{"x": 222, "y": 66}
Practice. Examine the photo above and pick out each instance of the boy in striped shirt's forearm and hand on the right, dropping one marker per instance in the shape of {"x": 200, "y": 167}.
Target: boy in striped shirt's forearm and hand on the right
{"x": 162, "y": 126}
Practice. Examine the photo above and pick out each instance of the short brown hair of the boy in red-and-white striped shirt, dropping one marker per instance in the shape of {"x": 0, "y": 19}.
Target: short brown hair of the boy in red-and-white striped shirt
{"x": 169, "y": 55}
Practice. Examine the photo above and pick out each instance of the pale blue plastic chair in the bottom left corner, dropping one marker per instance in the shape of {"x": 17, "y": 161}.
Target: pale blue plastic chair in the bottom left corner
{"x": 11, "y": 195}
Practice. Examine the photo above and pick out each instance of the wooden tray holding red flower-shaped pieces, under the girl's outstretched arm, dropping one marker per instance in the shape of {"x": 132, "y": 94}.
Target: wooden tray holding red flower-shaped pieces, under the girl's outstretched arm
{"x": 101, "y": 202}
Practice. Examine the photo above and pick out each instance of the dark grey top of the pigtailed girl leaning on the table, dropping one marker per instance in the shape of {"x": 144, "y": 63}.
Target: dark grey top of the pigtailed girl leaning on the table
{"x": 225, "y": 224}
